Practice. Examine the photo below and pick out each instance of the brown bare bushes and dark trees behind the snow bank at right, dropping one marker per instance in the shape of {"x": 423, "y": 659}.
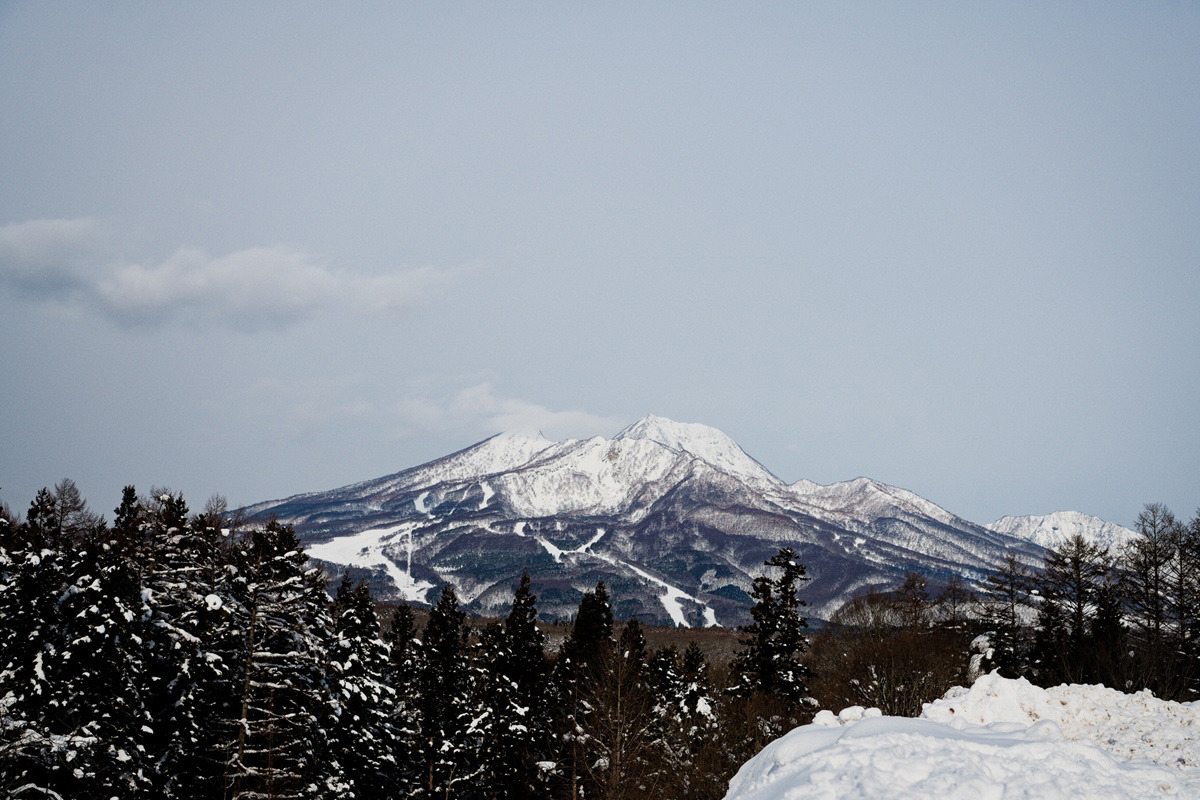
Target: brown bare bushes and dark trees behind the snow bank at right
{"x": 1129, "y": 619}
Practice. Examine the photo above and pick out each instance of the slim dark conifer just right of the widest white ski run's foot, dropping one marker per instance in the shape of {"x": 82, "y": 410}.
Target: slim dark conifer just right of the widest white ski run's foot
{"x": 448, "y": 743}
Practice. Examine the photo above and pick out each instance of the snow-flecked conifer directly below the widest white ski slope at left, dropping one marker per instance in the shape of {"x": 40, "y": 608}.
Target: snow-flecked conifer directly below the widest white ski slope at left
{"x": 363, "y": 739}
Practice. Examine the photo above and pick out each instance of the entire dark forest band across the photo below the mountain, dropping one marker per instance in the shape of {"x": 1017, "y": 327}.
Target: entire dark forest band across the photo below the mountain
{"x": 171, "y": 654}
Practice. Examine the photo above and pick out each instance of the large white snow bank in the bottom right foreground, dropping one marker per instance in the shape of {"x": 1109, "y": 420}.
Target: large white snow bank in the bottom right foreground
{"x": 1001, "y": 739}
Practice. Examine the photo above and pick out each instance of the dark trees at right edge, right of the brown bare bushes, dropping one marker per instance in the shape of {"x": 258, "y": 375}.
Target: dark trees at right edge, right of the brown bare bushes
{"x": 1129, "y": 619}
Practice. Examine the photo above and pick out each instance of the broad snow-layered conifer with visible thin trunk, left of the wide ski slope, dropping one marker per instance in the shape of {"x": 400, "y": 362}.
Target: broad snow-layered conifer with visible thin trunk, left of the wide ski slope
{"x": 278, "y": 744}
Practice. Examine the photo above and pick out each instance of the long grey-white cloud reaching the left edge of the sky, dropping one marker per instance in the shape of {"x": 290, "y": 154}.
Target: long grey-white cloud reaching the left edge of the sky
{"x": 64, "y": 263}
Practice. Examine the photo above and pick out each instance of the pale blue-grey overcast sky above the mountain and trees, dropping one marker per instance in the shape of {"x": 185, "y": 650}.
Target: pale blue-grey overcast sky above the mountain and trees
{"x": 284, "y": 248}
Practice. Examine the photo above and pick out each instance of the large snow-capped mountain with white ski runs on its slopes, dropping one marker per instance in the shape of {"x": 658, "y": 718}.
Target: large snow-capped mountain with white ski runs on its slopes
{"x": 675, "y": 518}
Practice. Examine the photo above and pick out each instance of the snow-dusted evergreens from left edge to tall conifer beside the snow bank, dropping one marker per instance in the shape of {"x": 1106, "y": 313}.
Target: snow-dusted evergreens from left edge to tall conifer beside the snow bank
{"x": 173, "y": 654}
